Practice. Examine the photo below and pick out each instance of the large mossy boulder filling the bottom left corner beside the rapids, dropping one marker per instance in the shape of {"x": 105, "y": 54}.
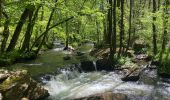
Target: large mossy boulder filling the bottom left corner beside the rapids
{"x": 16, "y": 85}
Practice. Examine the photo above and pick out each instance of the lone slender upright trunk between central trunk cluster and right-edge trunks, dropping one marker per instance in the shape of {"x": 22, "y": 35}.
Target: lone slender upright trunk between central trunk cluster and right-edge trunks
{"x": 154, "y": 29}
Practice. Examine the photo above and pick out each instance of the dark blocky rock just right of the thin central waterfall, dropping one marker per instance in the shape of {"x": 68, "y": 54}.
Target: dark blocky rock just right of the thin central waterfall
{"x": 104, "y": 64}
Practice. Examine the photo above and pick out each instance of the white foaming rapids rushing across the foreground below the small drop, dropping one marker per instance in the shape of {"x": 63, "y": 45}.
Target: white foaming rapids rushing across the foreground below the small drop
{"x": 71, "y": 84}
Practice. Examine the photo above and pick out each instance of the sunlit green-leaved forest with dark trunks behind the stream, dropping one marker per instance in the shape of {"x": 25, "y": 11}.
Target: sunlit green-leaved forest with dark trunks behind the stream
{"x": 28, "y": 26}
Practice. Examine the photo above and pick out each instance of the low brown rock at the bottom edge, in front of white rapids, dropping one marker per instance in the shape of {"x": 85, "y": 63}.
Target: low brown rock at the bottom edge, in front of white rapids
{"x": 106, "y": 96}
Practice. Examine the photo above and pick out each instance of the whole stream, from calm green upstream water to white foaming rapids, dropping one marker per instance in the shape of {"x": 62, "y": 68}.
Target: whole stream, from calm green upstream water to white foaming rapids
{"x": 71, "y": 84}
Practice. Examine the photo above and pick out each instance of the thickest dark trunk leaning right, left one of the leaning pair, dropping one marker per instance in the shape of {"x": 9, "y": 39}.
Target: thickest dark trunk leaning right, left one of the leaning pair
{"x": 18, "y": 29}
